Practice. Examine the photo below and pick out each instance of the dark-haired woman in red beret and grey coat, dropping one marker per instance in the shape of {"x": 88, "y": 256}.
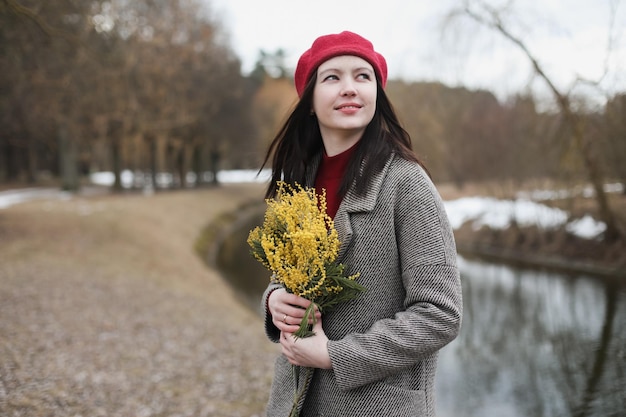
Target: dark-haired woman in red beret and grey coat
{"x": 375, "y": 355}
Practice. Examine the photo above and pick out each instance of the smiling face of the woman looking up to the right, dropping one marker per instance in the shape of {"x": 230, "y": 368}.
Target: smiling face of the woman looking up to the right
{"x": 344, "y": 98}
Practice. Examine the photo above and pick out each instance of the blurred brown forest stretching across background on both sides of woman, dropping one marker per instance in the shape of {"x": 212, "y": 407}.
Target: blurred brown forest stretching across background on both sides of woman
{"x": 153, "y": 86}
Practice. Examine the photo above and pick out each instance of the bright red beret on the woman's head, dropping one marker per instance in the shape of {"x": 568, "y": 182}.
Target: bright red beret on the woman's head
{"x": 330, "y": 46}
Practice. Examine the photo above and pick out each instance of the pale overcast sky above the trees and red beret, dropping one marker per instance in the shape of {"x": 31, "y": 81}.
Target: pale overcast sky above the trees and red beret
{"x": 569, "y": 36}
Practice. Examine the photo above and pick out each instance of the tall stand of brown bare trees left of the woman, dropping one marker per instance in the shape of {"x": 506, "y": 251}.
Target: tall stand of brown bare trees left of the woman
{"x": 149, "y": 84}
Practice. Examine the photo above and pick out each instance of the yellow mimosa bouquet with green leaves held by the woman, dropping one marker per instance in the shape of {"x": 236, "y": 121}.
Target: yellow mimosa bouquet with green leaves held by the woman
{"x": 298, "y": 244}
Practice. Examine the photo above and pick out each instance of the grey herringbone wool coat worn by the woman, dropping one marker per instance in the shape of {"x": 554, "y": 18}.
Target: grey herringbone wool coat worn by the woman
{"x": 383, "y": 345}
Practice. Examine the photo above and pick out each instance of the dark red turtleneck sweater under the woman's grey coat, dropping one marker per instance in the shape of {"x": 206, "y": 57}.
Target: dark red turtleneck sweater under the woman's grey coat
{"x": 329, "y": 177}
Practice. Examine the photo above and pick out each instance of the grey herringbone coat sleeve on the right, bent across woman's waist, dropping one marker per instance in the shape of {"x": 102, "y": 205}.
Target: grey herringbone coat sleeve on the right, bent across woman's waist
{"x": 431, "y": 313}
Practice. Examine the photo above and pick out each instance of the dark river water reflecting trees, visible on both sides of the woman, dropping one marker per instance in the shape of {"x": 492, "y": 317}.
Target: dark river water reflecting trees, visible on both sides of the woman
{"x": 533, "y": 343}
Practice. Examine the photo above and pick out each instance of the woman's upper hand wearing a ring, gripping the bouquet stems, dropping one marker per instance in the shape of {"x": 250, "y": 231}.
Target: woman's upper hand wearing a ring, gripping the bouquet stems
{"x": 287, "y": 310}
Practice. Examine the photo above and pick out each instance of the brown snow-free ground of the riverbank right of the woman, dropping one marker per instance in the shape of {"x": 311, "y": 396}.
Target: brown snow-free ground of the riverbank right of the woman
{"x": 531, "y": 246}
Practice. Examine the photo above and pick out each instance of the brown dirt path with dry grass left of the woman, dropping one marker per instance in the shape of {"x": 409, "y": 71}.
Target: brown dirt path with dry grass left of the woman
{"x": 105, "y": 310}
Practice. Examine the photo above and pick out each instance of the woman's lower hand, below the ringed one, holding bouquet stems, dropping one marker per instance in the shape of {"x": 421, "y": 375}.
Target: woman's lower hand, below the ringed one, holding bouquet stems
{"x": 310, "y": 351}
